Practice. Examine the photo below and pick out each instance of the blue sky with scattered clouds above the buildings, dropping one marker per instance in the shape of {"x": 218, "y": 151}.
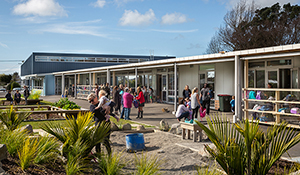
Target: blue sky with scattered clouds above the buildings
{"x": 164, "y": 27}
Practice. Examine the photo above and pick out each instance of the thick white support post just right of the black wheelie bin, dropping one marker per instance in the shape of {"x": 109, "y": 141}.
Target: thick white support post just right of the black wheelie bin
{"x": 237, "y": 90}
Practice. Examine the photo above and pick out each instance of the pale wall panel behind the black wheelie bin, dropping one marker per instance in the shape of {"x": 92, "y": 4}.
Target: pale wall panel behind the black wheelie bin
{"x": 224, "y": 79}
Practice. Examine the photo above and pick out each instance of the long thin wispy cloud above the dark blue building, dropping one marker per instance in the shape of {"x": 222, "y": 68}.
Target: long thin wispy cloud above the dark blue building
{"x": 74, "y": 28}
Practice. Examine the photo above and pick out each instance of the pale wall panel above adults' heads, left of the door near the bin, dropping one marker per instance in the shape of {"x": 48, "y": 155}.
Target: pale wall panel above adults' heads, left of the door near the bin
{"x": 187, "y": 76}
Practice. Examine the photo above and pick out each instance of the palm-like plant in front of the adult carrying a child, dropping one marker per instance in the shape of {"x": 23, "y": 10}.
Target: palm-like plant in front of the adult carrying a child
{"x": 82, "y": 129}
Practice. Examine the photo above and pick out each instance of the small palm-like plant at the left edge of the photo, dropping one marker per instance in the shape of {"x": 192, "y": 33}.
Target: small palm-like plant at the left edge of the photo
{"x": 11, "y": 119}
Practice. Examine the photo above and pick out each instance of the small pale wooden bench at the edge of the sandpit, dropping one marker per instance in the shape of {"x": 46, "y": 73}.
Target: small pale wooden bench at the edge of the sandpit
{"x": 197, "y": 131}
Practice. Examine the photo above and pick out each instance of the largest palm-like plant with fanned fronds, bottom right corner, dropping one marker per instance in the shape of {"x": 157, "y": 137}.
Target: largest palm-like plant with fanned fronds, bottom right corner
{"x": 244, "y": 148}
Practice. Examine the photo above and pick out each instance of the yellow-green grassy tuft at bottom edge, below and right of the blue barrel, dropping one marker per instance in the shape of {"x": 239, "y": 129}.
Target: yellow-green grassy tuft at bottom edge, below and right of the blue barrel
{"x": 147, "y": 165}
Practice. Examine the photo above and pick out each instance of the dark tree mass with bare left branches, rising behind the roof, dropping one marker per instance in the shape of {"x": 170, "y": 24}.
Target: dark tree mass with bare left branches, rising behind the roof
{"x": 247, "y": 27}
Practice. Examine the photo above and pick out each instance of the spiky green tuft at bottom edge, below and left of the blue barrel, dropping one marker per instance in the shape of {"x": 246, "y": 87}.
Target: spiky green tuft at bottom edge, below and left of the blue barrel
{"x": 111, "y": 164}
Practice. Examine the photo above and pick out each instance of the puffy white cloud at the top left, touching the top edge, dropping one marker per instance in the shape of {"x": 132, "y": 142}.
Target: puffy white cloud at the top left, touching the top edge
{"x": 39, "y": 8}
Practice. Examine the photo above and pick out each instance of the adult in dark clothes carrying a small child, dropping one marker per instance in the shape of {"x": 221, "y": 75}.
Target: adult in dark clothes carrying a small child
{"x": 99, "y": 117}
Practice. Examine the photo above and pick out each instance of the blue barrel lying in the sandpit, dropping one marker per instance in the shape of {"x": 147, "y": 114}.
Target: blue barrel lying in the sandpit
{"x": 135, "y": 142}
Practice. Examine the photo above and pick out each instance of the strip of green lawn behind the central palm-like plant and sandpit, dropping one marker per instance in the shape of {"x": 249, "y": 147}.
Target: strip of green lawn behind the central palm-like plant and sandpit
{"x": 38, "y": 124}
